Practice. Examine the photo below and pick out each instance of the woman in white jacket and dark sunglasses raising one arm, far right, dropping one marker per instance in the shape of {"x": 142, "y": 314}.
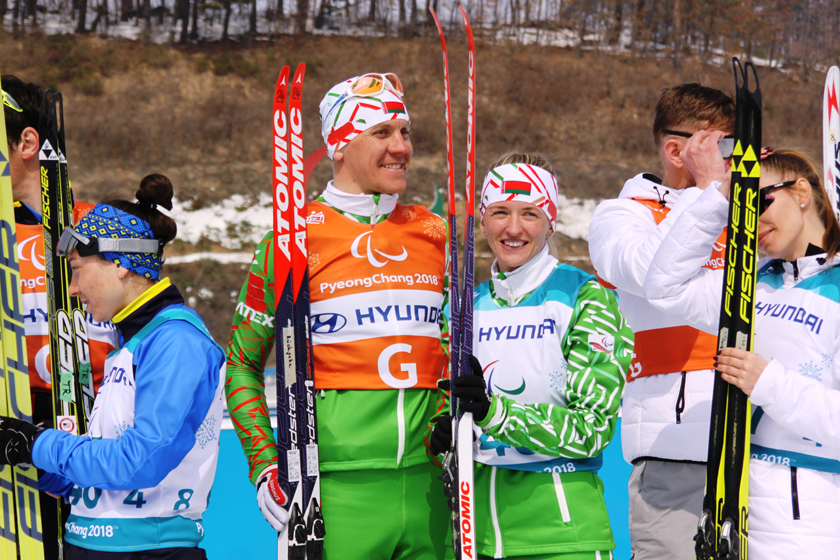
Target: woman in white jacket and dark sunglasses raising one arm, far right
{"x": 793, "y": 375}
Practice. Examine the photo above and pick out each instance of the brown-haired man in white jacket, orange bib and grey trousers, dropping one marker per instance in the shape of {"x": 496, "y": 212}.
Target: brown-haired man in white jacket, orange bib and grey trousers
{"x": 666, "y": 402}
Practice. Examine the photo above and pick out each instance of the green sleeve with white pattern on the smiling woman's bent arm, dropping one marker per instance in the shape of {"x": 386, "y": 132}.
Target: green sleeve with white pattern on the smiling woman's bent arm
{"x": 593, "y": 387}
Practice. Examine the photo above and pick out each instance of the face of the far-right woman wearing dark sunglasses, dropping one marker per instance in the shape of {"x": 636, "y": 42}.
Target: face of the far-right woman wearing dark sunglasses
{"x": 782, "y": 225}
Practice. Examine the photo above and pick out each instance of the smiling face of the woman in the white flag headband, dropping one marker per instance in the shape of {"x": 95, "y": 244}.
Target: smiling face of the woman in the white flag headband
{"x": 516, "y": 232}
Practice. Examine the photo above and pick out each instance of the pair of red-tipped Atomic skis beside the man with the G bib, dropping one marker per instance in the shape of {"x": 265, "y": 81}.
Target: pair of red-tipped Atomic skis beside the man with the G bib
{"x": 297, "y": 437}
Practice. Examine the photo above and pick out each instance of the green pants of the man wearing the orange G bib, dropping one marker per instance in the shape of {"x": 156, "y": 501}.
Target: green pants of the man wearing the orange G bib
{"x": 384, "y": 514}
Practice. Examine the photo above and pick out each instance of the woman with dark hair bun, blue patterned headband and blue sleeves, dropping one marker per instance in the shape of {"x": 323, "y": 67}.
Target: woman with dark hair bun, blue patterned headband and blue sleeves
{"x": 139, "y": 481}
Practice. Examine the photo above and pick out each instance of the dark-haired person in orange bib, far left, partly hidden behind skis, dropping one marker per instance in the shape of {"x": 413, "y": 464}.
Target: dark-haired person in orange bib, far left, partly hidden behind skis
{"x": 21, "y": 106}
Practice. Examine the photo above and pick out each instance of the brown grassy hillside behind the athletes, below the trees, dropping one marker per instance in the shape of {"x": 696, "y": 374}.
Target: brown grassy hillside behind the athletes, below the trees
{"x": 200, "y": 113}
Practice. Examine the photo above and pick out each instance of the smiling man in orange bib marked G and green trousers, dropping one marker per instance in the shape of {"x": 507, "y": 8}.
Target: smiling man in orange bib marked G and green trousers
{"x": 377, "y": 283}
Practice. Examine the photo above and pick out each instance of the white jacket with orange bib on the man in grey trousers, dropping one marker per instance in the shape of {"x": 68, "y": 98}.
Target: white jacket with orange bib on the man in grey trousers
{"x": 664, "y": 415}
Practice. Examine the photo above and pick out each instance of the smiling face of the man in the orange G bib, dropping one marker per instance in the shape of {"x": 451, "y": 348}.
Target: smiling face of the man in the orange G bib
{"x": 376, "y": 160}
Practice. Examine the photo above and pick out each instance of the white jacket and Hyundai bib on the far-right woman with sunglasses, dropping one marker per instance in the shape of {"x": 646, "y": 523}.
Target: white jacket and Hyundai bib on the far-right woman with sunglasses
{"x": 796, "y": 400}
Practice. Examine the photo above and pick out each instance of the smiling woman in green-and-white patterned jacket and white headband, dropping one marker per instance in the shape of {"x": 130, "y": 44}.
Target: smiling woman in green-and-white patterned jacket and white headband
{"x": 555, "y": 348}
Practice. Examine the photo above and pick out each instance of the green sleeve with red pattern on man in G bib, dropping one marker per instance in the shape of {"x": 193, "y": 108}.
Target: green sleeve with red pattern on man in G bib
{"x": 251, "y": 341}
